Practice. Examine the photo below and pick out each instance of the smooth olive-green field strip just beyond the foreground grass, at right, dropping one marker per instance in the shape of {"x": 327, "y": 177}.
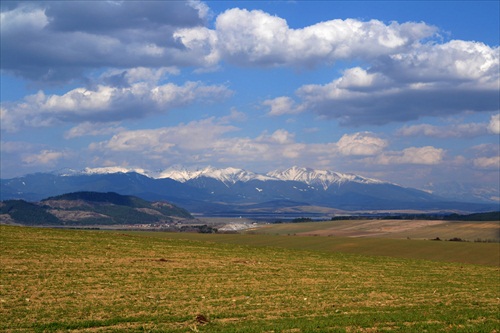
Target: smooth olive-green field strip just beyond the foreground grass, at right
{"x": 460, "y": 252}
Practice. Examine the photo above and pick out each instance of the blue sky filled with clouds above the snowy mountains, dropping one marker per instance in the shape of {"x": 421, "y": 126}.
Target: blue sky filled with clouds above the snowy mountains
{"x": 402, "y": 91}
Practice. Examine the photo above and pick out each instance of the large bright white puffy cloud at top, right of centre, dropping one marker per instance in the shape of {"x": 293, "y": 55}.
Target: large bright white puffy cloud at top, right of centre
{"x": 257, "y": 38}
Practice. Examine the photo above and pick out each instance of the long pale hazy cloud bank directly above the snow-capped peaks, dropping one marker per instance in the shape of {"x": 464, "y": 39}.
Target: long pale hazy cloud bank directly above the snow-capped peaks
{"x": 213, "y": 139}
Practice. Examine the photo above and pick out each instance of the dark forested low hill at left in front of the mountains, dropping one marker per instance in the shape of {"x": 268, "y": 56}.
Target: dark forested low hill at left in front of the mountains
{"x": 91, "y": 208}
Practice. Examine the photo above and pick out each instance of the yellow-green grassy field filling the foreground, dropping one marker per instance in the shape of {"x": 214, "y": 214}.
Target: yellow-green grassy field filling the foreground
{"x": 66, "y": 280}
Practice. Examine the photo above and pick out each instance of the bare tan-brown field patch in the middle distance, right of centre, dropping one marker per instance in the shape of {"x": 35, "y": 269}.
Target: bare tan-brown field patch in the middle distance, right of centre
{"x": 371, "y": 228}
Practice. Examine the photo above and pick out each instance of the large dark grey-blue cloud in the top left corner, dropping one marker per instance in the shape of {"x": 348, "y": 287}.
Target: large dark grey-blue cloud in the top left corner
{"x": 54, "y": 40}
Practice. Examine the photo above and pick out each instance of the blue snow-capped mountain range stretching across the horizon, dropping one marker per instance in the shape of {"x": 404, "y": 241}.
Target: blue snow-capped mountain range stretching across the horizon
{"x": 232, "y": 191}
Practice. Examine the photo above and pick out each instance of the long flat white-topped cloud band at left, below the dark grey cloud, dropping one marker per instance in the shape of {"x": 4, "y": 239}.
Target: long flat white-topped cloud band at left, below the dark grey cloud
{"x": 106, "y": 103}
